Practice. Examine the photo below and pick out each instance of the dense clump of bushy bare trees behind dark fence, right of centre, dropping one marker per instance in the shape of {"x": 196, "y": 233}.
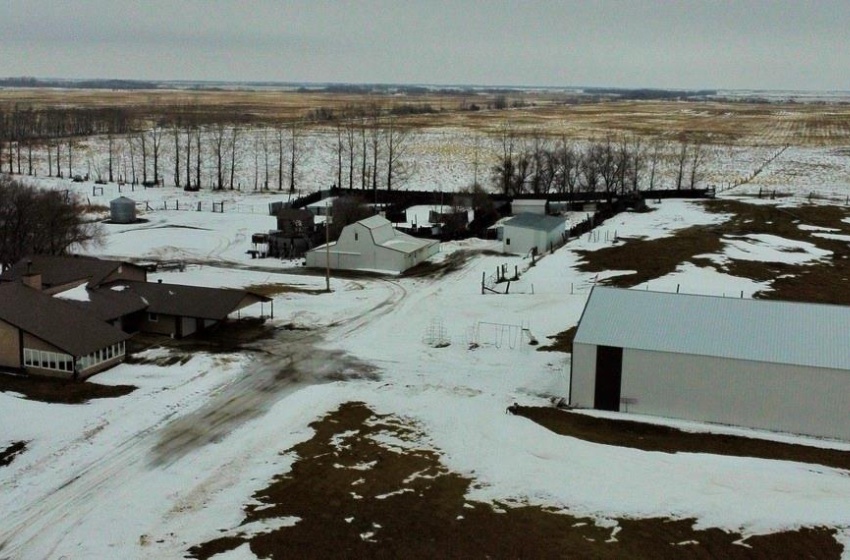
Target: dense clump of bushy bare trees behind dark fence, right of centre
{"x": 541, "y": 165}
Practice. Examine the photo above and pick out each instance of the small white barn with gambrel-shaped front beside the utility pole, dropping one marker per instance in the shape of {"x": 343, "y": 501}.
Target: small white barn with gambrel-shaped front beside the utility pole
{"x": 374, "y": 245}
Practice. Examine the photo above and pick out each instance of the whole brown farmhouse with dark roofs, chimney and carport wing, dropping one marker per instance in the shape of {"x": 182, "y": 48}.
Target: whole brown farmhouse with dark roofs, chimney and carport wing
{"x": 69, "y": 316}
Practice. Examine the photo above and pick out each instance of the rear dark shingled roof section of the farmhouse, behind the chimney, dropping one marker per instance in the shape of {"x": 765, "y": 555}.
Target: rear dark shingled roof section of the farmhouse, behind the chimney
{"x": 60, "y": 270}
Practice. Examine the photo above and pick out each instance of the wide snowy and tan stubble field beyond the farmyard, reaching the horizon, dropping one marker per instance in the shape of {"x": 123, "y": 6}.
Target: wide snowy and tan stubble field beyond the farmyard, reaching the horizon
{"x": 776, "y": 147}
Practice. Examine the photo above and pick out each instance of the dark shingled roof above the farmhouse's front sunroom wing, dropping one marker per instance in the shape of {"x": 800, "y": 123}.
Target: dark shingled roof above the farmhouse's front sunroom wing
{"x": 55, "y": 321}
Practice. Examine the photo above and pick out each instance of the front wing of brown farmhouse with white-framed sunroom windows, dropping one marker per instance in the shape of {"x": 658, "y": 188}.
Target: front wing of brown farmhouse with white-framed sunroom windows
{"x": 43, "y": 335}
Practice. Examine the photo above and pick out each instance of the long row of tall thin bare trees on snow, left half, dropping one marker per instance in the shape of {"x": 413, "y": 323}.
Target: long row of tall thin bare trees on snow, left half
{"x": 371, "y": 145}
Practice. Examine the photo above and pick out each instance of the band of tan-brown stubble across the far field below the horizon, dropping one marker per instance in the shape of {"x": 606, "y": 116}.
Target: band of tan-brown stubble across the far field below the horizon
{"x": 539, "y": 113}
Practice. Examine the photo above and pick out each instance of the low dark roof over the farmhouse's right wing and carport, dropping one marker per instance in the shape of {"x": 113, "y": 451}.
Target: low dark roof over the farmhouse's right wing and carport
{"x": 187, "y": 301}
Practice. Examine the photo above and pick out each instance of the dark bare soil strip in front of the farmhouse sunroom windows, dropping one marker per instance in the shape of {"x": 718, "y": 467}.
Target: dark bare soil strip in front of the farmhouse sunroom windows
{"x": 45, "y": 389}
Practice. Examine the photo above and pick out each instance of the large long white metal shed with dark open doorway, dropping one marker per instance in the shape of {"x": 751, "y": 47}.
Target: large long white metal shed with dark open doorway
{"x": 771, "y": 365}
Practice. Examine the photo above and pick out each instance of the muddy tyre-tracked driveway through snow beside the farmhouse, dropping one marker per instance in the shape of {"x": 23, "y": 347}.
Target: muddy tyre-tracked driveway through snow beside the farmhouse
{"x": 290, "y": 360}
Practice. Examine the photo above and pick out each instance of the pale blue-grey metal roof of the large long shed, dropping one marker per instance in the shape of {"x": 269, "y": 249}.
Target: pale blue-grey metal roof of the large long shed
{"x": 803, "y": 334}
